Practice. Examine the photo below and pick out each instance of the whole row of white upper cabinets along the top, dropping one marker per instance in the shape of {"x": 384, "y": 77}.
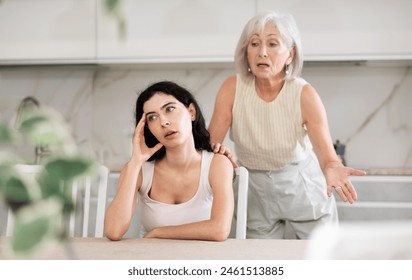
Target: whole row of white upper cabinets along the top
{"x": 148, "y": 31}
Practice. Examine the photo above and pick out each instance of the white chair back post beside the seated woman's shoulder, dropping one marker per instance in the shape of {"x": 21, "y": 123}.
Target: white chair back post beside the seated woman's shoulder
{"x": 241, "y": 214}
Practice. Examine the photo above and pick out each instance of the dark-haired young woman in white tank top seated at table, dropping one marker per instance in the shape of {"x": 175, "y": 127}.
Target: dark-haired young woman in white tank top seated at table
{"x": 184, "y": 190}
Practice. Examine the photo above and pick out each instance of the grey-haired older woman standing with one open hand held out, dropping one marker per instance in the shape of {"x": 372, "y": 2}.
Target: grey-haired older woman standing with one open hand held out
{"x": 280, "y": 132}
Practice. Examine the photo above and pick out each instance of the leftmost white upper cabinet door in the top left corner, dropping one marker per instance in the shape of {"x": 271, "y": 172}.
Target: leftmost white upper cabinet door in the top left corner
{"x": 46, "y": 30}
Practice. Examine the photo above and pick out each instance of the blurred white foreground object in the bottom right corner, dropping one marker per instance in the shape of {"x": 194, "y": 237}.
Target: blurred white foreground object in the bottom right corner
{"x": 377, "y": 240}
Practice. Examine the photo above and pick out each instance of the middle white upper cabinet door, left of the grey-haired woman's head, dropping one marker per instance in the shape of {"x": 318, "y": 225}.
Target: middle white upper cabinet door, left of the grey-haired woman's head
{"x": 173, "y": 30}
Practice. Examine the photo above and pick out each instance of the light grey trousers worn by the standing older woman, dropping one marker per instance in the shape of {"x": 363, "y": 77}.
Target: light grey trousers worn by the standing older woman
{"x": 288, "y": 203}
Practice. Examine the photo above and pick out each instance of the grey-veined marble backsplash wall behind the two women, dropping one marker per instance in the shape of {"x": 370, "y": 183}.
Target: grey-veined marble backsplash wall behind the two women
{"x": 368, "y": 106}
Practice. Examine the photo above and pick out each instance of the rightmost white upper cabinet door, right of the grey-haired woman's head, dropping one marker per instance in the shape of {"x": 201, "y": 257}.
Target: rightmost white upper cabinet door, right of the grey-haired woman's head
{"x": 350, "y": 29}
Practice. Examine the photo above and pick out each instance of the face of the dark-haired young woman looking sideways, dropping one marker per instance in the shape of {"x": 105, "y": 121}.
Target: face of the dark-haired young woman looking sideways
{"x": 168, "y": 119}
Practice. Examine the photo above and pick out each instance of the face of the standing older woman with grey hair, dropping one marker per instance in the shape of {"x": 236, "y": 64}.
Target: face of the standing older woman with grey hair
{"x": 268, "y": 54}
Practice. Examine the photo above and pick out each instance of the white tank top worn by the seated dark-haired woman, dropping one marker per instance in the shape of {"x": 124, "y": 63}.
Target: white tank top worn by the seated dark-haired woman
{"x": 156, "y": 214}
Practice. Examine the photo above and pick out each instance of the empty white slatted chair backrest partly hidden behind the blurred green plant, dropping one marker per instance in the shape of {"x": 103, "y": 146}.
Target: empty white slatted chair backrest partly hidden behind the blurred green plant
{"x": 85, "y": 193}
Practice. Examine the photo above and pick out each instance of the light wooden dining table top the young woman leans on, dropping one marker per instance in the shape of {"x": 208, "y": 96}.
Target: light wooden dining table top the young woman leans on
{"x": 92, "y": 248}
